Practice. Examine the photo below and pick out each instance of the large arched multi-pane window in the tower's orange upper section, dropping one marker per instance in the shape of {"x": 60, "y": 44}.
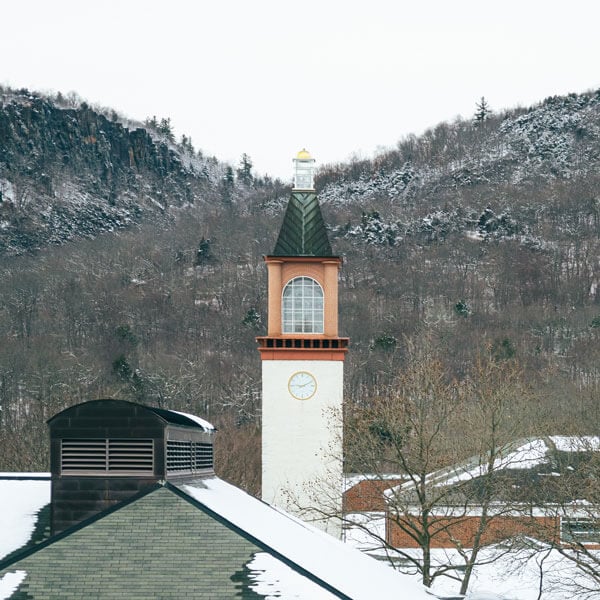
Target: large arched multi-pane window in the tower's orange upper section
{"x": 302, "y": 306}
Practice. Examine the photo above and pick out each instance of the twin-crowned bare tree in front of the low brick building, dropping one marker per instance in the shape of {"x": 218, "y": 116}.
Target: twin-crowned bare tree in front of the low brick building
{"x": 424, "y": 429}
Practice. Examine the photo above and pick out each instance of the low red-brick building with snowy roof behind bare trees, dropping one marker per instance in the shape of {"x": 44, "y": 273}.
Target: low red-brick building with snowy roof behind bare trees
{"x": 543, "y": 488}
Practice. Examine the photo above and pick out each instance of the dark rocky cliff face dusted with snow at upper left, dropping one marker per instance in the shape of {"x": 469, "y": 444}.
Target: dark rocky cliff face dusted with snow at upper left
{"x": 66, "y": 172}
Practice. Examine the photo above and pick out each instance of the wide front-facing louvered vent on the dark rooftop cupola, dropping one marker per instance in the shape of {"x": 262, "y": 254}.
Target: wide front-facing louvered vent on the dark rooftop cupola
{"x": 107, "y": 456}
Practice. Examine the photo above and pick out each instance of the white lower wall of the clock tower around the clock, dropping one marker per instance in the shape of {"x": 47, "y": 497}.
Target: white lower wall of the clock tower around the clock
{"x": 302, "y": 441}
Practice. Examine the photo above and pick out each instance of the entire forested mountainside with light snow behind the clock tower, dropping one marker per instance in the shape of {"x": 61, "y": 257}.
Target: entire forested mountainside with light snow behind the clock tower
{"x": 131, "y": 266}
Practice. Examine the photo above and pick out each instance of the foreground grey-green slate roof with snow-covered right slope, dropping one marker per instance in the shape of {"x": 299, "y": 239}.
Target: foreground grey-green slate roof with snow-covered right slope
{"x": 203, "y": 539}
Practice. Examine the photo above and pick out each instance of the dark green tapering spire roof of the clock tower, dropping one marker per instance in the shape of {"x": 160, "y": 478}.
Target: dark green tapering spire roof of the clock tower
{"x": 303, "y": 232}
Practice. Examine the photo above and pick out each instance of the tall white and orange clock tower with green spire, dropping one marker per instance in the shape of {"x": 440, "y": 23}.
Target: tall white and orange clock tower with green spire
{"x": 302, "y": 364}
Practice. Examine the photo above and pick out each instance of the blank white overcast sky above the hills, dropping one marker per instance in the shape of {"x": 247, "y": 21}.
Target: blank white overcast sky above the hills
{"x": 268, "y": 77}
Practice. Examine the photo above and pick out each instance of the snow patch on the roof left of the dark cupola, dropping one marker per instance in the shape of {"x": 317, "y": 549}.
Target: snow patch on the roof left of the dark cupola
{"x": 21, "y": 500}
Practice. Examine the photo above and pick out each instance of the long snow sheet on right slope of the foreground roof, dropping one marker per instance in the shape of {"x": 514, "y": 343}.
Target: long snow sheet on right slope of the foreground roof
{"x": 344, "y": 568}
